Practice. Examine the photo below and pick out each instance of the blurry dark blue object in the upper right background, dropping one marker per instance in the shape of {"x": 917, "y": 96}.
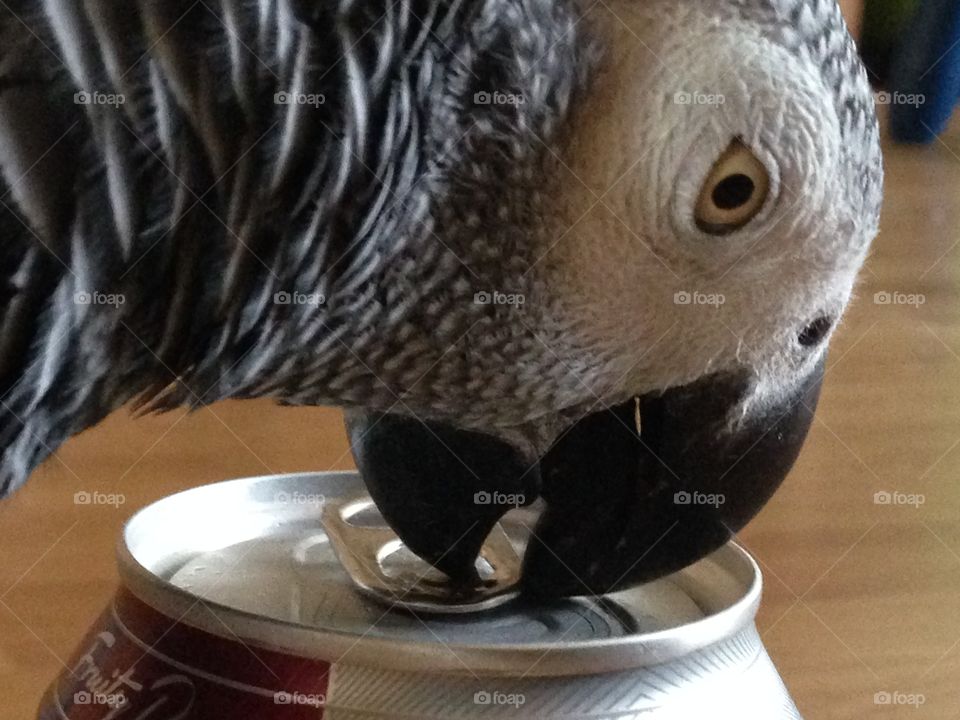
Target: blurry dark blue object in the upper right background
{"x": 924, "y": 82}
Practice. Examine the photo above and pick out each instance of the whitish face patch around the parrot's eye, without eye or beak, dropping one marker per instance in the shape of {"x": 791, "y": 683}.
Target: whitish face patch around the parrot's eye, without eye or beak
{"x": 665, "y": 301}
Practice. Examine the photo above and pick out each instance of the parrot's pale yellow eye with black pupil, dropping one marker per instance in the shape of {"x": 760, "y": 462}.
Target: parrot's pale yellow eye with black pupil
{"x": 734, "y": 193}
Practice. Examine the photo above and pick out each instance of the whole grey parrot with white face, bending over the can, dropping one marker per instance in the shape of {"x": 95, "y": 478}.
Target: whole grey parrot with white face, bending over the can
{"x": 588, "y": 254}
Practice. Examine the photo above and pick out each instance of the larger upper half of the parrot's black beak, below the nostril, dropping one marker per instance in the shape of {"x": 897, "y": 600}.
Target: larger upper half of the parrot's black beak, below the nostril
{"x": 627, "y": 505}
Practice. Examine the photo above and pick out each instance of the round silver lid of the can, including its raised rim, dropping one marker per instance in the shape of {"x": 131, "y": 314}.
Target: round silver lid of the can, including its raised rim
{"x": 249, "y": 558}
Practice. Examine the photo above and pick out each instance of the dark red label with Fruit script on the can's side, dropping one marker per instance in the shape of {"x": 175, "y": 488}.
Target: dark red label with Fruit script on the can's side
{"x": 139, "y": 664}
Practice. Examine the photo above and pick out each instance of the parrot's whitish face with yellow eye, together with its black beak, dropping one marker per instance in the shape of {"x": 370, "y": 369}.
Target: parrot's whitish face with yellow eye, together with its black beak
{"x": 720, "y": 188}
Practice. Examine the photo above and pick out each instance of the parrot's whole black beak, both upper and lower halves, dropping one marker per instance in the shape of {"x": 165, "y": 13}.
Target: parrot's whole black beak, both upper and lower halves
{"x": 624, "y": 505}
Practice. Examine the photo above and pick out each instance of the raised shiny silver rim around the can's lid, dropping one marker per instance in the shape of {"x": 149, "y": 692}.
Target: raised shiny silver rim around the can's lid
{"x": 538, "y": 659}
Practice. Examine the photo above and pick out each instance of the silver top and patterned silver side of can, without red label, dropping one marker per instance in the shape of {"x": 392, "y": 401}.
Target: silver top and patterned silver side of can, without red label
{"x": 248, "y": 561}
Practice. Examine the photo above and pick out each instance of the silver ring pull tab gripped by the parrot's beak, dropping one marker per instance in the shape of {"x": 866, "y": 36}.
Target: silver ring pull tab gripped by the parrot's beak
{"x": 365, "y": 553}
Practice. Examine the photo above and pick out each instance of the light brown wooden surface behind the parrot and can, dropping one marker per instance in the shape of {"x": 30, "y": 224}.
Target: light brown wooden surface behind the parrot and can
{"x": 860, "y": 598}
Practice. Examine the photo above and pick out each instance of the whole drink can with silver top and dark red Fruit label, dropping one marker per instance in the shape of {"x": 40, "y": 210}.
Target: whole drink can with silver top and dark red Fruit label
{"x": 234, "y": 604}
